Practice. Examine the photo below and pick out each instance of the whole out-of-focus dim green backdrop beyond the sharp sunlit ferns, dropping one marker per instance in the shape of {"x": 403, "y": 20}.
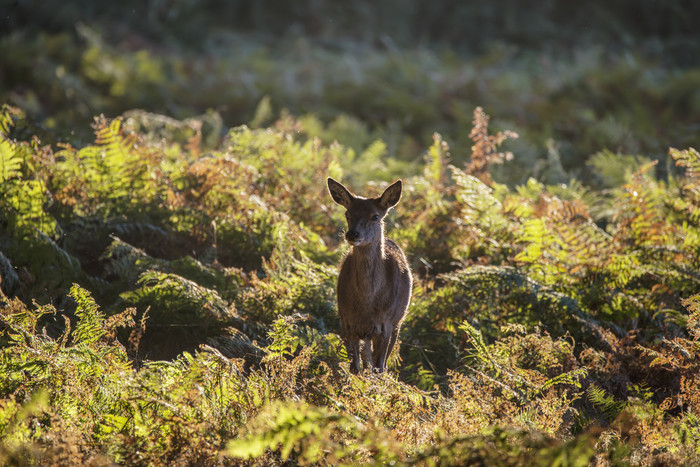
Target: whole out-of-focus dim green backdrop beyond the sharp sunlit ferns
{"x": 580, "y": 83}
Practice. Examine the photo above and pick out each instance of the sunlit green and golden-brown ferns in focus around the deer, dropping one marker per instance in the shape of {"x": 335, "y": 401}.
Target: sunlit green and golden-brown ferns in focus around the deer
{"x": 165, "y": 301}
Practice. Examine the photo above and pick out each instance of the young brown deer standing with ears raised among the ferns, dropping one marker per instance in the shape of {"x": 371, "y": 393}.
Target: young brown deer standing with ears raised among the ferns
{"x": 374, "y": 284}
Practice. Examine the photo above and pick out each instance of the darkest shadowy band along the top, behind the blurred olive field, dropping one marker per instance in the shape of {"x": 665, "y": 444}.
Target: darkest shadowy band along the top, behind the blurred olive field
{"x": 464, "y": 26}
